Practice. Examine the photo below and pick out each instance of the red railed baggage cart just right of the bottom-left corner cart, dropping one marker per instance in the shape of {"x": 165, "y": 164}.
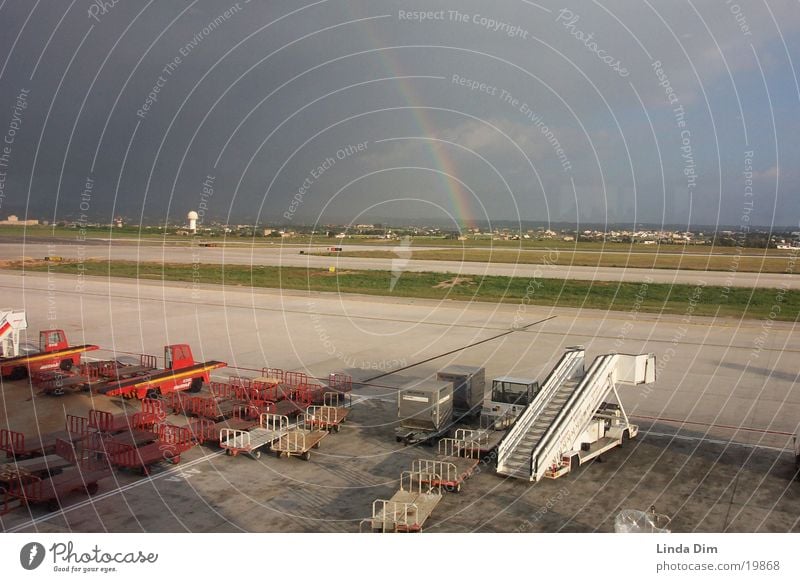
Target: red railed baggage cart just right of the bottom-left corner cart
{"x": 170, "y": 443}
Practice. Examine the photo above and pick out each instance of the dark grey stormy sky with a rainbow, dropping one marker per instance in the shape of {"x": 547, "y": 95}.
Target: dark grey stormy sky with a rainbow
{"x": 483, "y": 110}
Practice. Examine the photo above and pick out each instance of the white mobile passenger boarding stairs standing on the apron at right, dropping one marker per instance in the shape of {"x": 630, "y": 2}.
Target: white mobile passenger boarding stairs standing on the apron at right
{"x": 570, "y": 422}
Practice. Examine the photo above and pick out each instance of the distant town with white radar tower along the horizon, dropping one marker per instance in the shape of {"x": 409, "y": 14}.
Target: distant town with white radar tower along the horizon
{"x": 780, "y": 238}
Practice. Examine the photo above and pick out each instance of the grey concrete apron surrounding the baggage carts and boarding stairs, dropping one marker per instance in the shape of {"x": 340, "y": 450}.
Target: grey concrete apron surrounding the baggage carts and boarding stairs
{"x": 713, "y": 452}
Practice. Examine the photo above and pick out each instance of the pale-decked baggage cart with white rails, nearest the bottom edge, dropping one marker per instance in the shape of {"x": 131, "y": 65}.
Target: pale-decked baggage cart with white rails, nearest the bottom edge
{"x": 409, "y": 508}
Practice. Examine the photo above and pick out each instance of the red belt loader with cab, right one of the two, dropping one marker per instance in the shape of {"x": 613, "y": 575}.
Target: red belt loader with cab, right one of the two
{"x": 180, "y": 373}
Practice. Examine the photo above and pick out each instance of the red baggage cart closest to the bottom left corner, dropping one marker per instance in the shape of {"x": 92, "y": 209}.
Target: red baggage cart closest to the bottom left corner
{"x": 84, "y": 475}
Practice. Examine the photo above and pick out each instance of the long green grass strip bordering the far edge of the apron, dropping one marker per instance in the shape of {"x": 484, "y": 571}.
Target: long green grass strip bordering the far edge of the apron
{"x": 625, "y": 297}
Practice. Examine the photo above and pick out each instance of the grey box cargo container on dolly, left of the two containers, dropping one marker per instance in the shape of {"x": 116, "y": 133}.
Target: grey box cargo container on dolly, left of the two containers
{"x": 425, "y": 410}
